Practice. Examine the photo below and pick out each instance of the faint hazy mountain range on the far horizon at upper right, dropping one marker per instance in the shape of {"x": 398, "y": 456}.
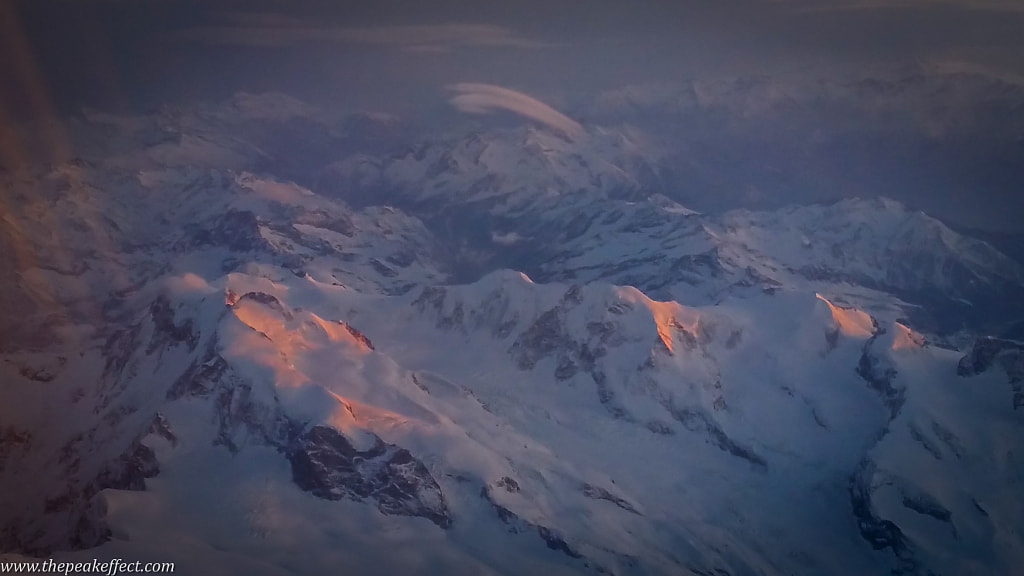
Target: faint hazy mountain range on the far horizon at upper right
{"x": 940, "y": 99}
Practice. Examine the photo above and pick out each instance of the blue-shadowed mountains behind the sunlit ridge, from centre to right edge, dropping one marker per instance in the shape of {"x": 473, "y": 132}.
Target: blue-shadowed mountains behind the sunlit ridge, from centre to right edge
{"x": 599, "y": 210}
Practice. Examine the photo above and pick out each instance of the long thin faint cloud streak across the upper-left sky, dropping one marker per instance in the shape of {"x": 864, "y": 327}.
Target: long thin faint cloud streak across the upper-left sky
{"x": 276, "y": 30}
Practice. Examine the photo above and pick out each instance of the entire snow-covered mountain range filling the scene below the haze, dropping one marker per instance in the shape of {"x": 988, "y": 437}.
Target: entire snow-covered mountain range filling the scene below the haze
{"x": 216, "y": 366}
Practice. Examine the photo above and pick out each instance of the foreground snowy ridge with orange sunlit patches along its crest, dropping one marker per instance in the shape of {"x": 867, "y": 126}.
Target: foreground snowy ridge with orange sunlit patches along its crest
{"x": 573, "y": 378}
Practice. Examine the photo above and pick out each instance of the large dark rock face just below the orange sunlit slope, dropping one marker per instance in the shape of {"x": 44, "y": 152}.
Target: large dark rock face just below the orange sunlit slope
{"x": 325, "y": 464}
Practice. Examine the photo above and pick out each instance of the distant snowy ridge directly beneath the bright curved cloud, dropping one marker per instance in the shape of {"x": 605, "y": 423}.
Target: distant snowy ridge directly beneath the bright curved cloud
{"x": 505, "y": 173}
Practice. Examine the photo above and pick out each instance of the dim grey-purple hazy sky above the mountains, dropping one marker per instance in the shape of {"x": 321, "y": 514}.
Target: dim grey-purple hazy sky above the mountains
{"x": 407, "y": 57}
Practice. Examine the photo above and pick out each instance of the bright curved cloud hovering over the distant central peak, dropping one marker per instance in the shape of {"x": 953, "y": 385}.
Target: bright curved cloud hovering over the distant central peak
{"x": 485, "y": 99}
